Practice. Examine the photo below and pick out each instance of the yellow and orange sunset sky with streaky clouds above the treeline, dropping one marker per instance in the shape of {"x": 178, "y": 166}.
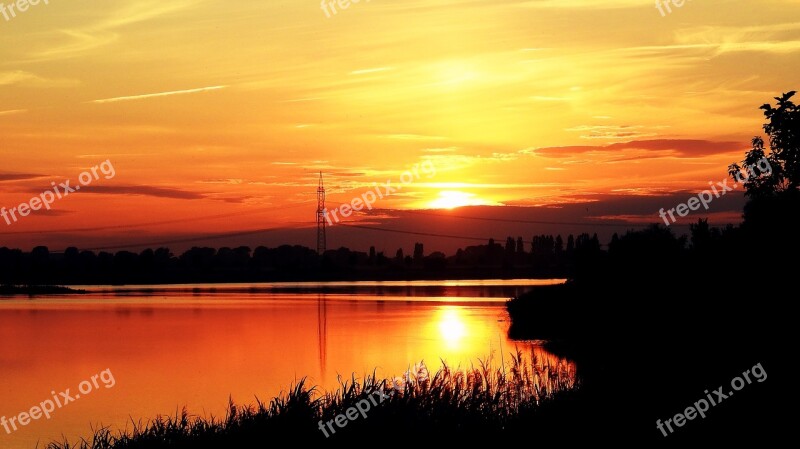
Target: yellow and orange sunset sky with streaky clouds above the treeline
{"x": 218, "y": 116}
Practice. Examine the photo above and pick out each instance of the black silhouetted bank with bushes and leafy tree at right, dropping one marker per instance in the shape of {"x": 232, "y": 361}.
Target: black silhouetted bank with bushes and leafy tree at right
{"x": 686, "y": 315}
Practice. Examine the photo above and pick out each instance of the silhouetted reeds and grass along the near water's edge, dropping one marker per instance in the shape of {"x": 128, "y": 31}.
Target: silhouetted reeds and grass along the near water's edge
{"x": 483, "y": 403}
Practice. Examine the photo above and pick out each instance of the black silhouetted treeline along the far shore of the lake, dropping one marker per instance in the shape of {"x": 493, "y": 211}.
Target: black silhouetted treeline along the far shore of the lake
{"x": 547, "y": 256}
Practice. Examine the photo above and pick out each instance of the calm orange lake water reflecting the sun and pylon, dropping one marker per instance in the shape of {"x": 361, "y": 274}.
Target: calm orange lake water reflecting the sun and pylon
{"x": 198, "y": 345}
